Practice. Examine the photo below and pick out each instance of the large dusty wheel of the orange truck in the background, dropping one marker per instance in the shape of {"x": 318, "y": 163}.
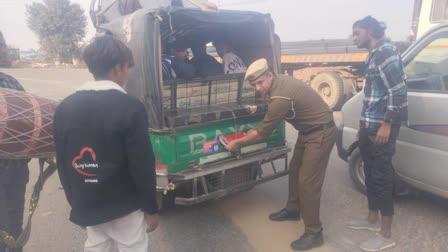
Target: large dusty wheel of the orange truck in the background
{"x": 330, "y": 87}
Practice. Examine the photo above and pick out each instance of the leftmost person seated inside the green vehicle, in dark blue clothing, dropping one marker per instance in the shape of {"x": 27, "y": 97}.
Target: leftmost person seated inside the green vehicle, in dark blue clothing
{"x": 175, "y": 64}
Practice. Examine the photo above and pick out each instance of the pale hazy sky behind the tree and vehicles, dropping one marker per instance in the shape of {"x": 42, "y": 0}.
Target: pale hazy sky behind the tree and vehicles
{"x": 295, "y": 20}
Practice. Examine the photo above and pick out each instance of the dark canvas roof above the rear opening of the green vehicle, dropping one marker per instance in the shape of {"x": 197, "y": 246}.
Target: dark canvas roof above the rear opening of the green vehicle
{"x": 194, "y": 25}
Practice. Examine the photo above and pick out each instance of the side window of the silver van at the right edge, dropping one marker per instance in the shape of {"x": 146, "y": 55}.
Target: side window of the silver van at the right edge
{"x": 428, "y": 71}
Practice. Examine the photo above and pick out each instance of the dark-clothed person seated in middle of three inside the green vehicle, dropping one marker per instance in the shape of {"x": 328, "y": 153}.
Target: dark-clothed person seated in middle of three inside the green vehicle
{"x": 204, "y": 64}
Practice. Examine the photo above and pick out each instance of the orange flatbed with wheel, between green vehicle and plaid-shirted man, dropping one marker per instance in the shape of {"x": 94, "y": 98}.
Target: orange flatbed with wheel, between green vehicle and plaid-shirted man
{"x": 334, "y": 68}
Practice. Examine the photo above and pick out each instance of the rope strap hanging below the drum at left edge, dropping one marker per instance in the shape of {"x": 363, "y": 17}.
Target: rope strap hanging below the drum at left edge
{"x": 23, "y": 238}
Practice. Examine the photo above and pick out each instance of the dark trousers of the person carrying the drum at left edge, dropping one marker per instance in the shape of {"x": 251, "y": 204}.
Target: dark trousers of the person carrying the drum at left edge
{"x": 13, "y": 180}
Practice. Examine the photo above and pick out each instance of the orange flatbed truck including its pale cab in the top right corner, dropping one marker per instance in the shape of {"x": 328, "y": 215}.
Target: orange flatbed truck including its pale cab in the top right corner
{"x": 335, "y": 67}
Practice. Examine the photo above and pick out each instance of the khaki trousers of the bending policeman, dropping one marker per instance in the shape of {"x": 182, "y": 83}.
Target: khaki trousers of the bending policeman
{"x": 306, "y": 176}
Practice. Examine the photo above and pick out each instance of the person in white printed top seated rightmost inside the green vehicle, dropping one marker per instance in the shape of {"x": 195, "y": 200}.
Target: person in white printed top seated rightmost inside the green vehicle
{"x": 232, "y": 63}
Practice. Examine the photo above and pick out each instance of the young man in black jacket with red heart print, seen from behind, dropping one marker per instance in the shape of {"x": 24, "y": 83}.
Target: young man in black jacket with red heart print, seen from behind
{"x": 104, "y": 155}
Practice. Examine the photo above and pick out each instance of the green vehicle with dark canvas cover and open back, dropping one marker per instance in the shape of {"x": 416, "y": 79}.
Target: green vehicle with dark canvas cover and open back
{"x": 190, "y": 121}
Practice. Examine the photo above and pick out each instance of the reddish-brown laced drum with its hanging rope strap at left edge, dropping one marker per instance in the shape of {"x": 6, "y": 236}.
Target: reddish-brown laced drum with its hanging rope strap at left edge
{"x": 26, "y": 131}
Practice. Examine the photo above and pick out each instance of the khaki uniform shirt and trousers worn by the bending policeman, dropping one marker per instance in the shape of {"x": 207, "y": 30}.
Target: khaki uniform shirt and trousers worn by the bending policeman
{"x": 301, "y": 106}
